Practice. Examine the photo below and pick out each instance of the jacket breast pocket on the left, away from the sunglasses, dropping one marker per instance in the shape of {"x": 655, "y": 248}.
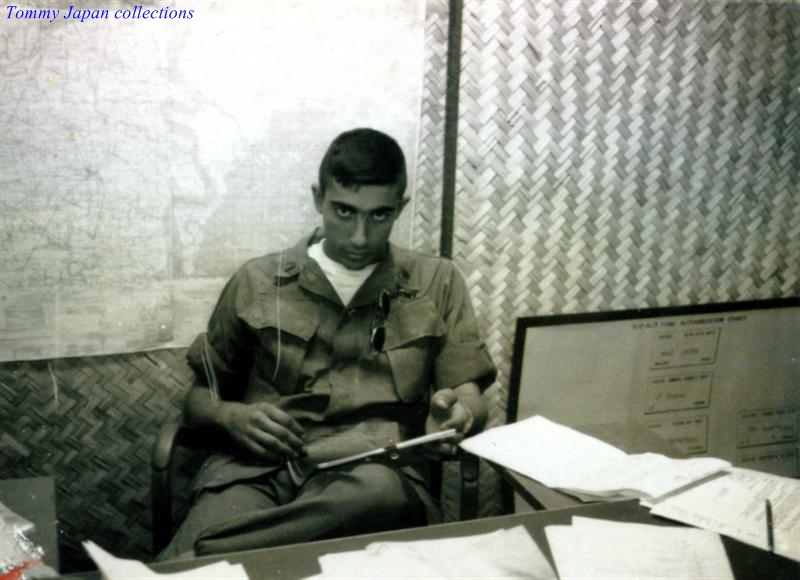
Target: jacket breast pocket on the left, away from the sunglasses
{"x": 284, "y": 337}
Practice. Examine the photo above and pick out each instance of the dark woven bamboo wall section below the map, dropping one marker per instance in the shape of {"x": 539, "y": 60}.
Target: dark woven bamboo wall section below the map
{"x": 91, "y": 422}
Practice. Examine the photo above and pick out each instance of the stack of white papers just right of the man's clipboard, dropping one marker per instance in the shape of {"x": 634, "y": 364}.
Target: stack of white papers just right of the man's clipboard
{"x": 565, "y": 459}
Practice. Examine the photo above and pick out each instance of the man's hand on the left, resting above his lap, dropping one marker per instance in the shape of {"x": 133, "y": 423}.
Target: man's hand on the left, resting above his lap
{"x": 263, "y": 429}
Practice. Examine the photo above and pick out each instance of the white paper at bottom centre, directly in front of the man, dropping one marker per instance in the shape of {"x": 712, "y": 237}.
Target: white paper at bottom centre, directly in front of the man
{"x": 501, "y": 554}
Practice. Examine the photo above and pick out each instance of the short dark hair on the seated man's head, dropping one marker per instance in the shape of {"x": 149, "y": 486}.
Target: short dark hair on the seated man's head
{"x": 364, "y": 157}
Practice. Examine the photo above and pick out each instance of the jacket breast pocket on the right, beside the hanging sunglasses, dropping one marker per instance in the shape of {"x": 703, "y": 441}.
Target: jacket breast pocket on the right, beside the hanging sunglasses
{"x": 414, "y": 331}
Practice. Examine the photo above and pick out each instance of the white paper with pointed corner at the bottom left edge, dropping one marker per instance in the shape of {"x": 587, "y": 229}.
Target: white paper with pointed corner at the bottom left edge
{"x": 114, "y": 568}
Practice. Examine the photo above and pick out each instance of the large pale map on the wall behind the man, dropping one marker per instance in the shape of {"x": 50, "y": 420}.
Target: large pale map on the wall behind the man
{"x": 143, "y": 160}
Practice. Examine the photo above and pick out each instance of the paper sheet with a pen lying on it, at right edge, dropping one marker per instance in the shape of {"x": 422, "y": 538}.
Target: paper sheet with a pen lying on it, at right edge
{"x": 734, "y": 505}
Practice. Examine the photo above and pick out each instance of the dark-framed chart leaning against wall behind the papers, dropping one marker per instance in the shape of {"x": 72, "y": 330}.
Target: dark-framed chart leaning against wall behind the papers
{"x": 720, "y": 380}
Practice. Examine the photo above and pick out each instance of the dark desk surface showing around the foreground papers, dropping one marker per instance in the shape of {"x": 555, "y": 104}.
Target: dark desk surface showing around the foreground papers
{"x": 300, "y": 560}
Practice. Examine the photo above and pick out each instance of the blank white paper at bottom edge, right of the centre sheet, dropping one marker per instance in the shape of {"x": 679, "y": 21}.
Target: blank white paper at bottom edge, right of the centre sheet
{"x": 596, "y": 549}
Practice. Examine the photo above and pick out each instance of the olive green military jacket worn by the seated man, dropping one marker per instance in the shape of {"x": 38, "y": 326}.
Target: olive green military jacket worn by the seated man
{"x": 280, "y": 334}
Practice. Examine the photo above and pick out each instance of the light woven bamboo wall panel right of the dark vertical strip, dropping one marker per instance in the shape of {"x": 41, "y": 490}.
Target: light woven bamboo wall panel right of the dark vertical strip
{"x": 626, "y": 154}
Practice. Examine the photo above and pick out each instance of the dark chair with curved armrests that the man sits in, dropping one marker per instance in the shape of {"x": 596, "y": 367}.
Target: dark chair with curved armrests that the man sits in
{"x": 173, "y": 435}
